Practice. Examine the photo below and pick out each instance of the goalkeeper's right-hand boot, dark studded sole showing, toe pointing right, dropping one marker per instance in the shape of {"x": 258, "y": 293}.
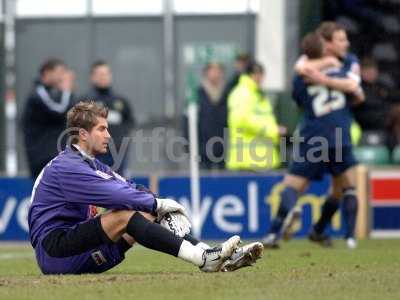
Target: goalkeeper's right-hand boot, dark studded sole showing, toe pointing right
{"x": 245, "y": 256}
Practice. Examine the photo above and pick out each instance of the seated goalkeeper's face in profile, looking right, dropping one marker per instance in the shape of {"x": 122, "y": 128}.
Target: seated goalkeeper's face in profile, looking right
{"x": 99, "y": 137}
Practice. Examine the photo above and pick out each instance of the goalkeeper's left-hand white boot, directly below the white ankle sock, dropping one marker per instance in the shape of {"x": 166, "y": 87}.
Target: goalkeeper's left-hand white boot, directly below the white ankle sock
{"x": 215, "y": 257}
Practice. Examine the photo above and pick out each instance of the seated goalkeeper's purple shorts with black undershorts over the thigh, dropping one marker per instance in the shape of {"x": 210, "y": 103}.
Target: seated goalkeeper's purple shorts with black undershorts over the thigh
{"x": 78, "y": 250}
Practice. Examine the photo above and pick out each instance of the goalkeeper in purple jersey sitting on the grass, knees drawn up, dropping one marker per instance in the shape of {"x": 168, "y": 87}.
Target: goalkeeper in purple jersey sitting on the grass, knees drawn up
{"x": 69, "y": 240}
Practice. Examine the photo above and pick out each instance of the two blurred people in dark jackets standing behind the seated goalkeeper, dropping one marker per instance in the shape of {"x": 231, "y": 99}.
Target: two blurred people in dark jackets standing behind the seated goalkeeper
{"x": 52, "y": 95}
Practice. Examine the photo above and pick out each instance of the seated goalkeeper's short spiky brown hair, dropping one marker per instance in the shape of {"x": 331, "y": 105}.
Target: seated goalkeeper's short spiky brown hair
{"x": 84, "y": 115}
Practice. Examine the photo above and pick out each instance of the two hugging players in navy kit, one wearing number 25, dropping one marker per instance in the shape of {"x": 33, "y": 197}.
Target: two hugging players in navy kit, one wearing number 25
{"x": 326, "y": 100}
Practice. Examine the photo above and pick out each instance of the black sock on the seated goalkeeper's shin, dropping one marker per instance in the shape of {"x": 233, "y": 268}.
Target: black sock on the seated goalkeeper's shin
{"x": 153, "y": 236}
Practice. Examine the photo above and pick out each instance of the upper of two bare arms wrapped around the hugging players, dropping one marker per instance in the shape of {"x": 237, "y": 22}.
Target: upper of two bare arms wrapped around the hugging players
{"x": 304, "y": 65}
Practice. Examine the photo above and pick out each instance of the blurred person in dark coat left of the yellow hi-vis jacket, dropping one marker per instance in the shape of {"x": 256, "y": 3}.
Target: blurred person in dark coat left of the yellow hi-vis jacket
{"x": 212, "y": 116}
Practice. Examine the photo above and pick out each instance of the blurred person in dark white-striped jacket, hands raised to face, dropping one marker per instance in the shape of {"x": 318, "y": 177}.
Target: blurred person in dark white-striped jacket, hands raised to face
{"x": 44, "y": 116}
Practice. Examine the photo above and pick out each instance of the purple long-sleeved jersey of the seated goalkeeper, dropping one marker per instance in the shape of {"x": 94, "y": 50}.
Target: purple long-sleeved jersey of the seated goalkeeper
{"x": 69, "y": 184}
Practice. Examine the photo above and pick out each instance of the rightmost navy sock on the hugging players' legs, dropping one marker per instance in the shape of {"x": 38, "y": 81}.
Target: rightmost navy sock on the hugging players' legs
{"x": 350, "y": 207}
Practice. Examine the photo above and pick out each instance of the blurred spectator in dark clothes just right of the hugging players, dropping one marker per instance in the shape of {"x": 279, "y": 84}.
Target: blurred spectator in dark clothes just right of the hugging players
{"x": 372, "y": 113}
